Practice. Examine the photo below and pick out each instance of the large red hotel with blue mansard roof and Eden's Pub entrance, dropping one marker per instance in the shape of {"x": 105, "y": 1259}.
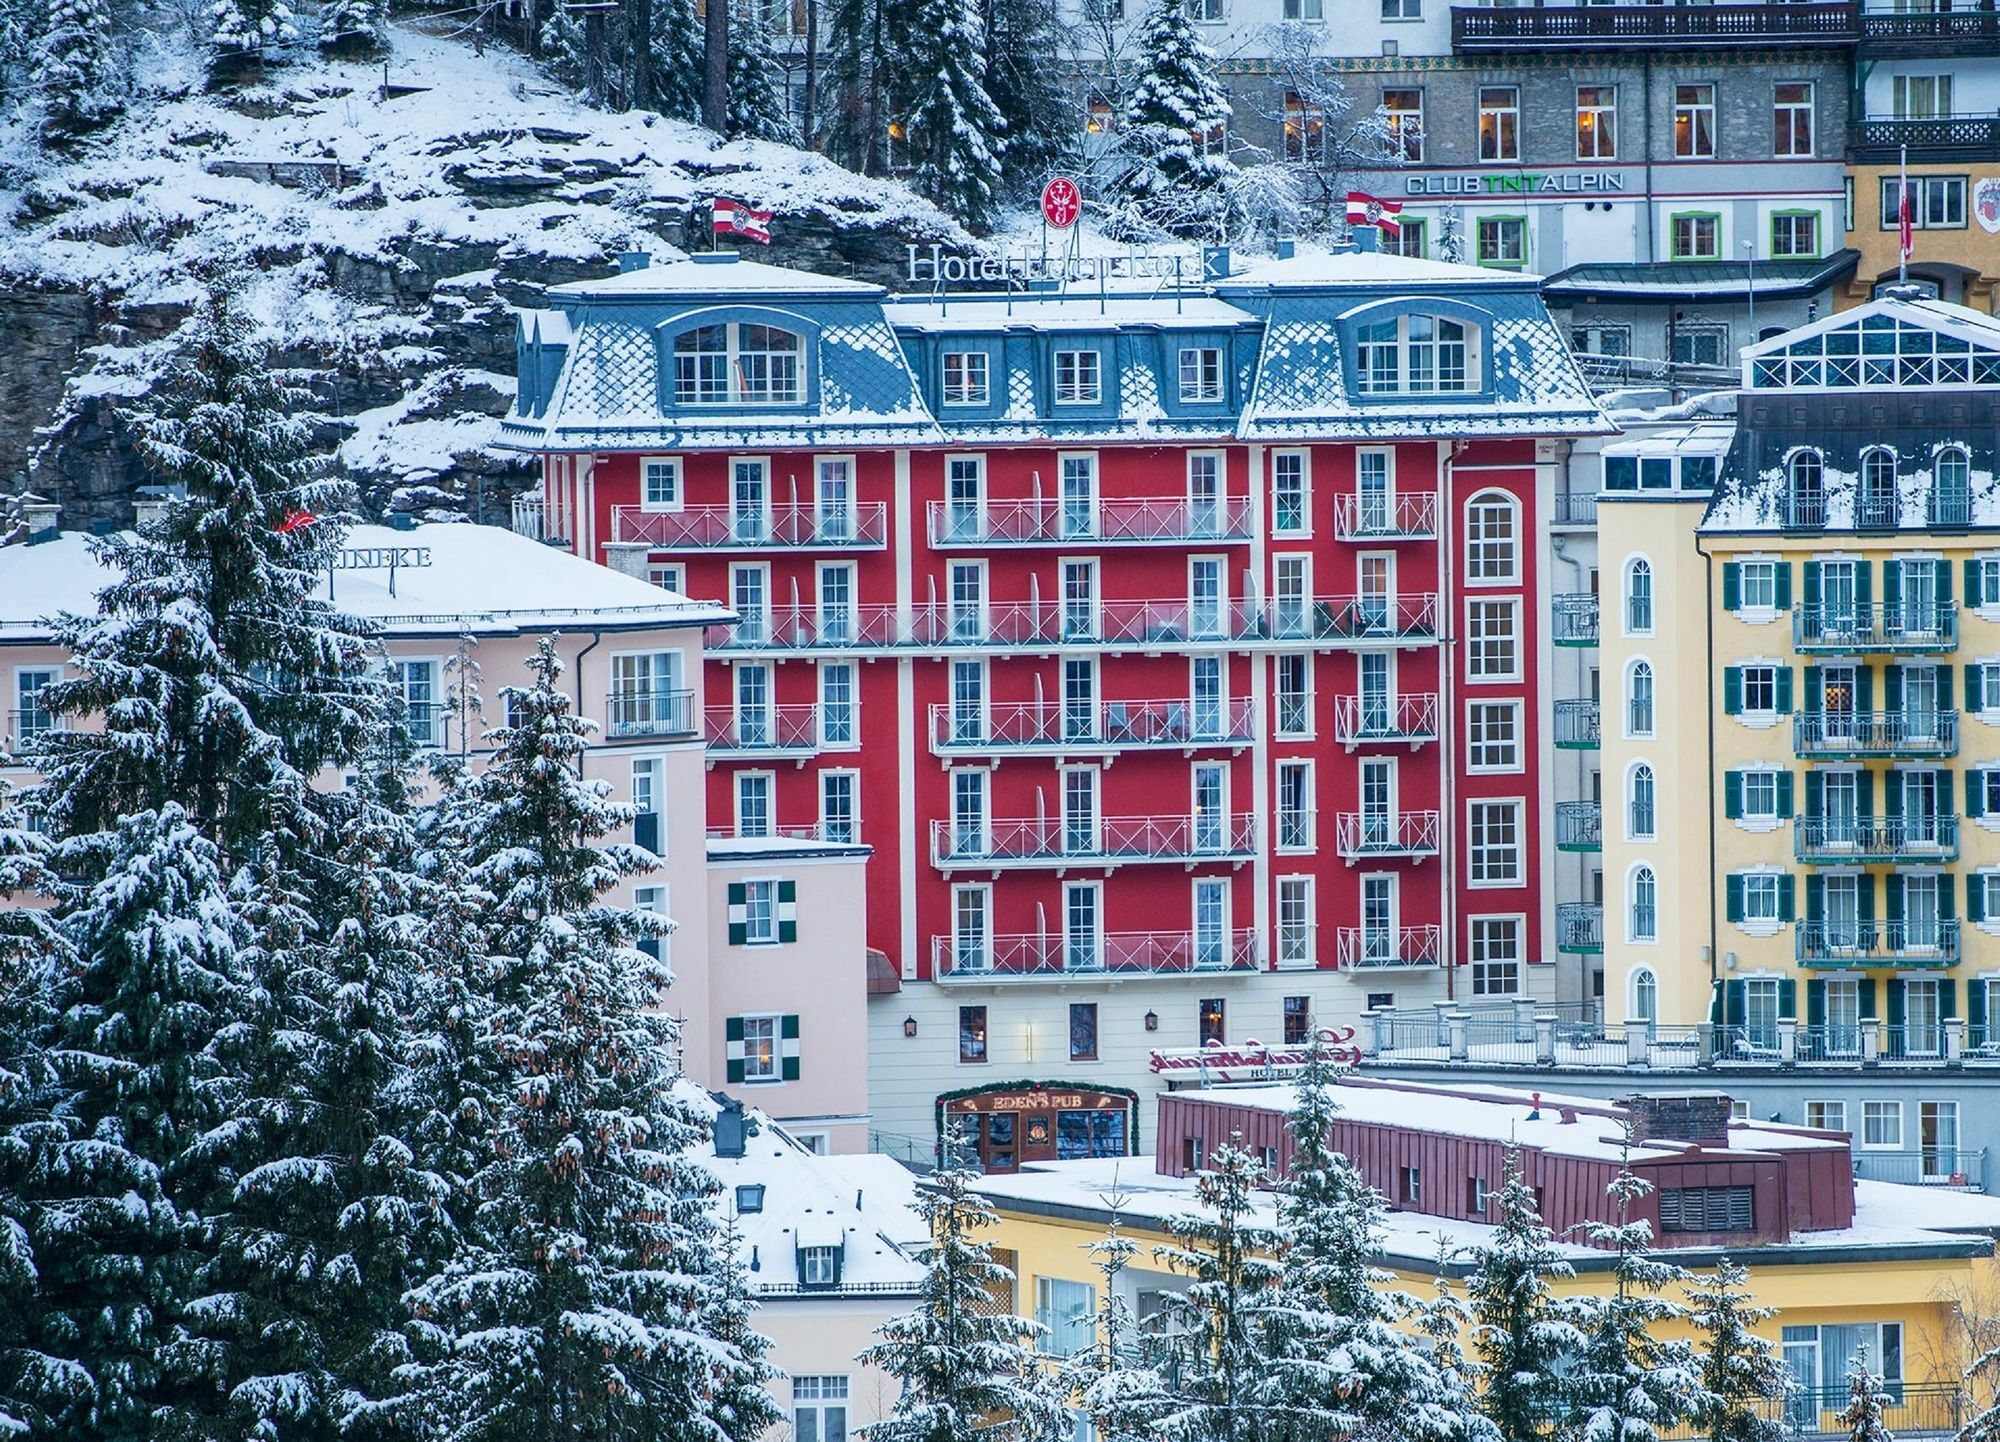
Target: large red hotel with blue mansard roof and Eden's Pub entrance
{"x": 1179, "y": 655}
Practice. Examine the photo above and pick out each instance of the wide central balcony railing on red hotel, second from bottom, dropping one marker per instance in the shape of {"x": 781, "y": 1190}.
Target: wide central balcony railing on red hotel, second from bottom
{"x": 1099, "y": 843}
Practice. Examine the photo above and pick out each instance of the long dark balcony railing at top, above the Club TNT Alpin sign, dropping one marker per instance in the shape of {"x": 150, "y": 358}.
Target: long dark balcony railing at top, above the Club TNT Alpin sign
{"x": 1651, "y": 27}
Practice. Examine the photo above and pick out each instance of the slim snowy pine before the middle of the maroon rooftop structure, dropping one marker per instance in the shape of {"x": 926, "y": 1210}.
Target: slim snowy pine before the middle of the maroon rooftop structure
{"x": 1521, "y": 1333}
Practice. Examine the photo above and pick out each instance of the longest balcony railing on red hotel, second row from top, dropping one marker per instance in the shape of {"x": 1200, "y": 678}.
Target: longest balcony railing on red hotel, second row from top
{"x": 1117, "y": 625}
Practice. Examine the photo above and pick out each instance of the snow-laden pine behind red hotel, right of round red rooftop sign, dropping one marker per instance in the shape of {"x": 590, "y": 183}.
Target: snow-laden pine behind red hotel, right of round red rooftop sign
{"x": 1171, "y": 113}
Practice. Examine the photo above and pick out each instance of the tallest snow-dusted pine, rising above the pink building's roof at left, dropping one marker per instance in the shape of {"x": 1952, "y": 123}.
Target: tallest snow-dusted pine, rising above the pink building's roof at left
{"x": 223, "y": 681}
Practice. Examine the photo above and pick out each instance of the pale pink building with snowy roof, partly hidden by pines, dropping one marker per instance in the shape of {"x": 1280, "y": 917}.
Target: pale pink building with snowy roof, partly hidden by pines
{"x": 769, "y": 955}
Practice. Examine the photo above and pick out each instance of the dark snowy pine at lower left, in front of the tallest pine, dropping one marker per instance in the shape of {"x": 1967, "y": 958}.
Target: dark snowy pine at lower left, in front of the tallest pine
{"x": 115, "y": 1185}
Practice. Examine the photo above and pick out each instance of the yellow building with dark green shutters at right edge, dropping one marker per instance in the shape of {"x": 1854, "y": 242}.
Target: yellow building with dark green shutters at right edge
{"x": 1801, "y": 739}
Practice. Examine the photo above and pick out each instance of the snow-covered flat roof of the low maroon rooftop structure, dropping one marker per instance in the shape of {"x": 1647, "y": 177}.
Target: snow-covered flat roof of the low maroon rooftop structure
{"x": 1567, "y": 1125}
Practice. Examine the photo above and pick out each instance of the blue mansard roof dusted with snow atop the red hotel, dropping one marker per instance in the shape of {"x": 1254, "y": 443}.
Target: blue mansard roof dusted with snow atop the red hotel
{"x": 1267, "y": 355}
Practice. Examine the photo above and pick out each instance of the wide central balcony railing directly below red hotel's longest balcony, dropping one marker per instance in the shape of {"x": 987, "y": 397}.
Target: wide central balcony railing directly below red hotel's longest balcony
{"x": 1065, "y": 727}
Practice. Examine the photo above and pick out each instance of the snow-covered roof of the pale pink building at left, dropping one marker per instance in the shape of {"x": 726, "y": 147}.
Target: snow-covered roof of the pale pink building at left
{"x": 469, "y": 579}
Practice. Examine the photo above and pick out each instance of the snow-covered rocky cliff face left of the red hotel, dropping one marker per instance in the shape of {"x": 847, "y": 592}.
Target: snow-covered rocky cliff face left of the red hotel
{"x": 383, "y": 239}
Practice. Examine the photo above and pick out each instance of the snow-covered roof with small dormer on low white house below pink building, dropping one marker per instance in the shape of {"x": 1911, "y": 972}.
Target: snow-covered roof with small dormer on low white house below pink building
{"x": 863, "y": 1205}
